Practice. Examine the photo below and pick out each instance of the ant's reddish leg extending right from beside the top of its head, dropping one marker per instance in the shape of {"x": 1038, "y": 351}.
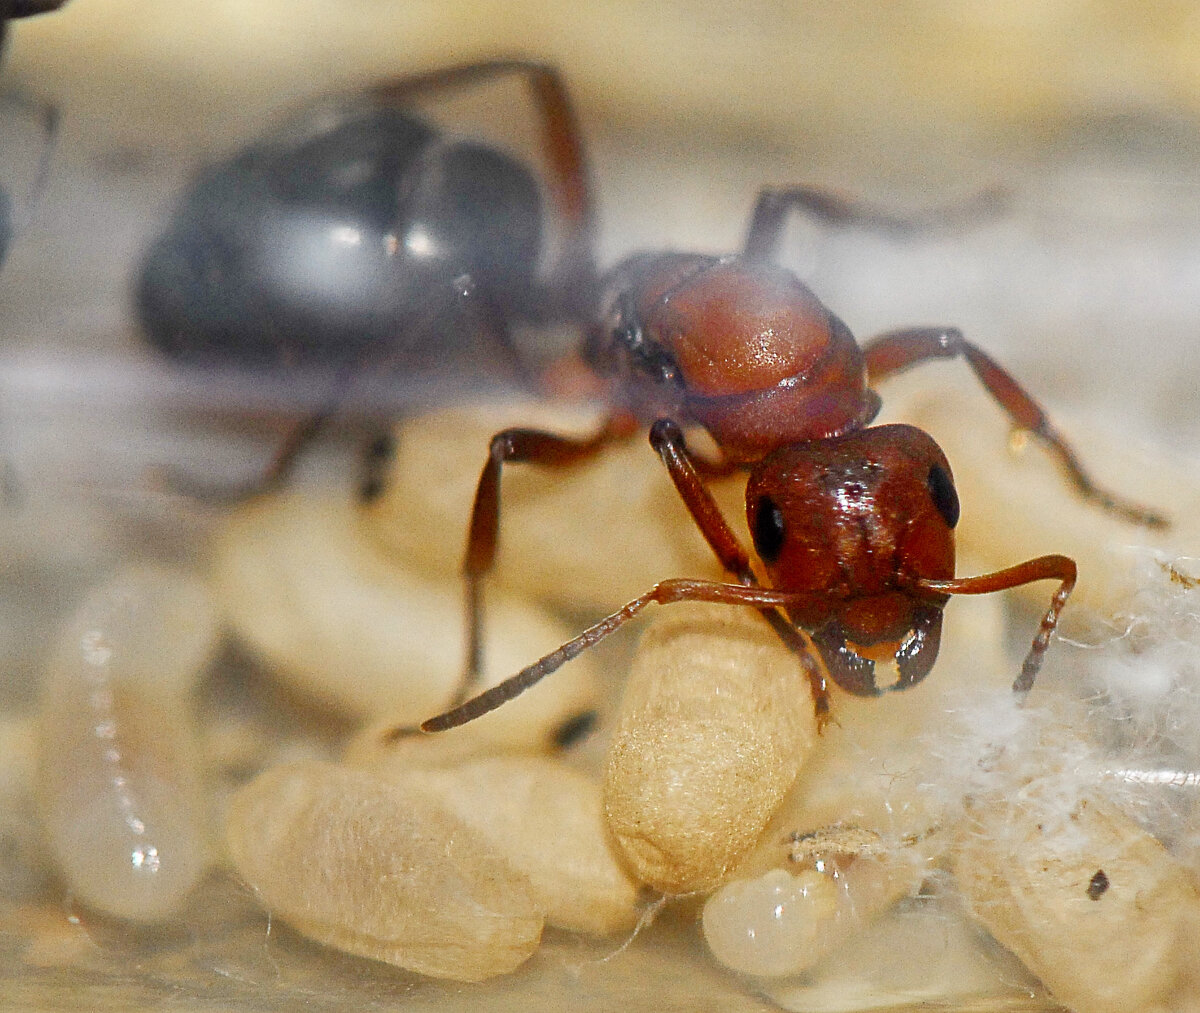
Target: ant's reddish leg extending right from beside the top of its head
{"x": 897, "y": 351}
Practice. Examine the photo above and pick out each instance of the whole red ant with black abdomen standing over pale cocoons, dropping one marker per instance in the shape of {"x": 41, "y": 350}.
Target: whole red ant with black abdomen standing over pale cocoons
{"x": 362, "y": 238}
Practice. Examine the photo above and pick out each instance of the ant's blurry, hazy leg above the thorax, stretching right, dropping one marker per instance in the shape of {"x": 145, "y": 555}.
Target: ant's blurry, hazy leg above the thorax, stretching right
{"x": 773, "y": 208}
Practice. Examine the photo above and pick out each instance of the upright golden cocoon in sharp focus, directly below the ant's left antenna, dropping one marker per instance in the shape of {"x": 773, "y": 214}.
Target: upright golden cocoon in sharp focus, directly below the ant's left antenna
{"x": 716, "y": 724}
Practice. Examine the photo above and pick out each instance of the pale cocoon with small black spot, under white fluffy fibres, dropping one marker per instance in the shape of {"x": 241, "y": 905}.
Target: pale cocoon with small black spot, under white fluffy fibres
{"x": 1093, "y": 904}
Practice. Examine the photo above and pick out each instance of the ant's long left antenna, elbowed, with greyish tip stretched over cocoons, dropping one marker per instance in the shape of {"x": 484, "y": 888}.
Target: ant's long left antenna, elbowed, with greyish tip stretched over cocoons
{"x": 665, "y": 594}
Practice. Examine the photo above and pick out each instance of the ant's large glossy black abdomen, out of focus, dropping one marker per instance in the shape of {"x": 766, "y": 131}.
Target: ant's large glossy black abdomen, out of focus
{"x": 358, "y": 233}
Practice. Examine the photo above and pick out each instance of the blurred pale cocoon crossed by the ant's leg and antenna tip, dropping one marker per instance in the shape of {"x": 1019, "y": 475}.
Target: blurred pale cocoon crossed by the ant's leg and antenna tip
{"x": 351, "y": 625}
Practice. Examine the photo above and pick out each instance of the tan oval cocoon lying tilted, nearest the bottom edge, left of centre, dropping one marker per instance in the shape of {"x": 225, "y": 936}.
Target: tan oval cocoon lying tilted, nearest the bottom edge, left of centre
{"x": 381, "y": 871}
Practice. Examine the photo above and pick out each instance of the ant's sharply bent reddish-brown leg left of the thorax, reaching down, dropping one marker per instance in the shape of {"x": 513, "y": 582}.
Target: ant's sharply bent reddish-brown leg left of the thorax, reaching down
{"x": 515, "y": 446}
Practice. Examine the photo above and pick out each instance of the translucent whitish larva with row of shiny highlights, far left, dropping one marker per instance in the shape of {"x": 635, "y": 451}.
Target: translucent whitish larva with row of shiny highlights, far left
{"x": 118, "y": 778}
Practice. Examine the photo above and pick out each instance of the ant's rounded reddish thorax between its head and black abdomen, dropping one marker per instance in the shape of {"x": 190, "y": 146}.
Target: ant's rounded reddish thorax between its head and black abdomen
{"x": 745, "y": 350}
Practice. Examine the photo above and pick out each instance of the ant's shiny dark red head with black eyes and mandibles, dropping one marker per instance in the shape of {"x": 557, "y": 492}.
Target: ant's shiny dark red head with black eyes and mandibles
{"x": 849, "y": 525}
